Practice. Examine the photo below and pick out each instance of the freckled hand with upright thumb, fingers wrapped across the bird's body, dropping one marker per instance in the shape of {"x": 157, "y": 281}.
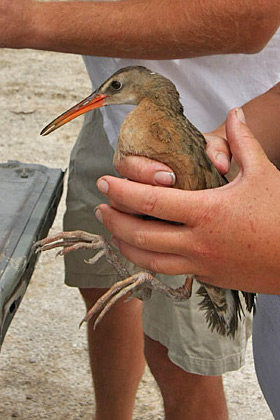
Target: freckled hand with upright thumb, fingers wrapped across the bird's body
{"x": 229, "y": 236}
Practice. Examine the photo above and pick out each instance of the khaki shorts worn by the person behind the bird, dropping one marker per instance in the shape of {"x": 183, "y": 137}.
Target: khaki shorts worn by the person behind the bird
{"x": 179, "y": 326}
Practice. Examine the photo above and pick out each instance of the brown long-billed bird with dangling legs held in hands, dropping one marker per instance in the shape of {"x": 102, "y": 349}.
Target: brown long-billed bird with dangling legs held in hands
{"x": 157, "y": 129}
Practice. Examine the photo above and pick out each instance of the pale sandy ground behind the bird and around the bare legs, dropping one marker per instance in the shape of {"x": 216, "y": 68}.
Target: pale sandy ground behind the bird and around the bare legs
{"x": 44, "y": 367}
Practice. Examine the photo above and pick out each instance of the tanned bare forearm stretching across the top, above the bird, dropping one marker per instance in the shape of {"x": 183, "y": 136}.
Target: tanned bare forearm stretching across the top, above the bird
{"x": 149, "y": 29}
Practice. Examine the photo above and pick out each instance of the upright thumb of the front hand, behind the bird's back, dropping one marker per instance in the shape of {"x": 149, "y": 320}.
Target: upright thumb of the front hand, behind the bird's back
{"x": 244, "y": 147}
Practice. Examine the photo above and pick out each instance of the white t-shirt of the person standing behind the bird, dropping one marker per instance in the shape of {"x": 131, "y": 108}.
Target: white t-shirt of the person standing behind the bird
{"x": 209, "y": 86}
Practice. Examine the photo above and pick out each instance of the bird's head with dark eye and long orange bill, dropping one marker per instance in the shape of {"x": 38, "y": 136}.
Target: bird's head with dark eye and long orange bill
{"x": 128, "y": 85}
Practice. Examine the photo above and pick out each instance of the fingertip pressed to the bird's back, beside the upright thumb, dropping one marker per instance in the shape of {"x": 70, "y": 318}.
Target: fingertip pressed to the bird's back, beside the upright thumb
{"x": 218, "y": 151}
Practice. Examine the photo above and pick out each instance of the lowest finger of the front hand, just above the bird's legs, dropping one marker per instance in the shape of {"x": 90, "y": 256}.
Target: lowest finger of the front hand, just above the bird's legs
{"x": 171, "y": 264}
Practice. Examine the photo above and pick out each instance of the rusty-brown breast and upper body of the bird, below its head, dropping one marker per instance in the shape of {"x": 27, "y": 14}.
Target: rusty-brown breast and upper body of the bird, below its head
{"x": 156, "y": 133}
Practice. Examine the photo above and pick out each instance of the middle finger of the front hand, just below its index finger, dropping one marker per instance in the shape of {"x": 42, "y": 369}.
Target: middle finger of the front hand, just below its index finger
{"x": 152, "y": 235}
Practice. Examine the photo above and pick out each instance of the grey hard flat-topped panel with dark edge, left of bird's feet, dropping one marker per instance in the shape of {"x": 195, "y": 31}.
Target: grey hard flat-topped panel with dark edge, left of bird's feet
{"x": 29, "y": 196}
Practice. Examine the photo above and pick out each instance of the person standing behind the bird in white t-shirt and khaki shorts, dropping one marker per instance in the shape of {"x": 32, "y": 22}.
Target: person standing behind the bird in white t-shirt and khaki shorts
{"x": 201, "y": 47}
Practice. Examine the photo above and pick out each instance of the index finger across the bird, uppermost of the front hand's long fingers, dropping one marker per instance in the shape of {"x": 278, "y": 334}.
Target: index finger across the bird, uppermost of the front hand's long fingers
{"x": 163, "y": 203}
